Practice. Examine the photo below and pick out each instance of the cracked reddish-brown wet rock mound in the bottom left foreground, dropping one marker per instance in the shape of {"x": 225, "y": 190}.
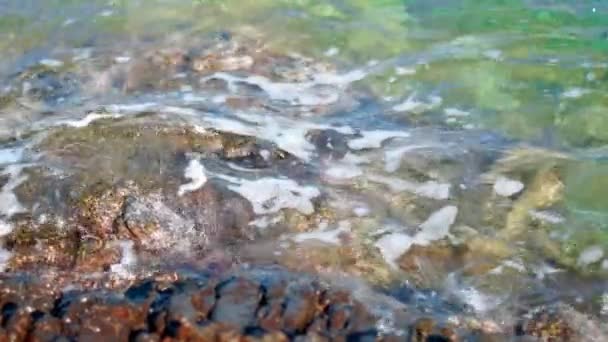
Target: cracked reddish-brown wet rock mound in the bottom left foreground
{"x": 263, "y": 304}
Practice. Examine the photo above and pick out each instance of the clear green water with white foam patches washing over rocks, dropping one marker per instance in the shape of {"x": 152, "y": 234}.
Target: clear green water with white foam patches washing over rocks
{"x": 481, "y": 124}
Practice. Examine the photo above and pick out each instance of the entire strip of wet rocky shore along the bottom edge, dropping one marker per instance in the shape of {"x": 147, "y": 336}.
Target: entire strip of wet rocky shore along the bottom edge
{"x": 254, "y": 303}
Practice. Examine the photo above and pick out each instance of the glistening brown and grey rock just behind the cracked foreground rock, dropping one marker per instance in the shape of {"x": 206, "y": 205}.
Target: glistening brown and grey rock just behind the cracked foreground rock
{"x": 167, "y": 225}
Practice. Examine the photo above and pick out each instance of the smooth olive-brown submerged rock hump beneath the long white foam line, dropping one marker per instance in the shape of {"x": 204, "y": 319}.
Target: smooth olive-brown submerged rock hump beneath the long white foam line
{"x": 152, "y": 152}
